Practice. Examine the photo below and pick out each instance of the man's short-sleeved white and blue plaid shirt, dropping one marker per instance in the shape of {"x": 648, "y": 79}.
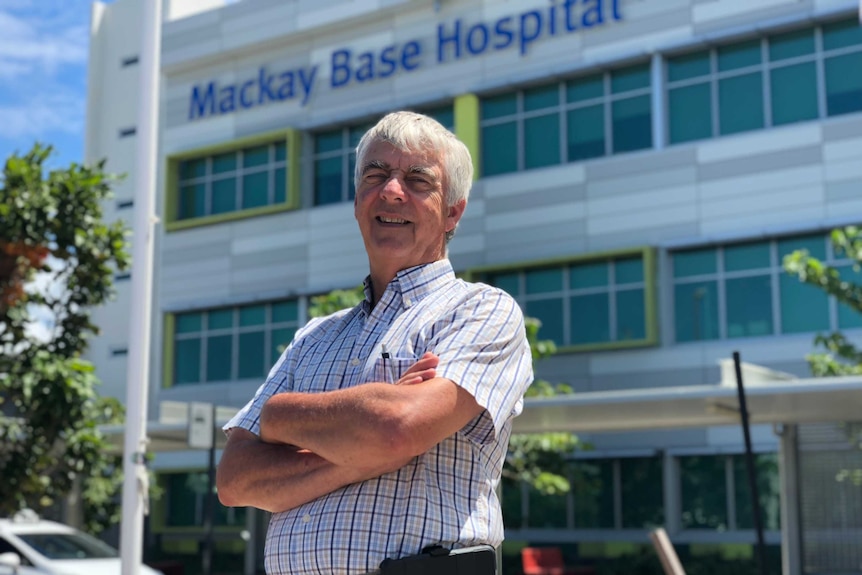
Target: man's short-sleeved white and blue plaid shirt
{"x": 446, "y": 495}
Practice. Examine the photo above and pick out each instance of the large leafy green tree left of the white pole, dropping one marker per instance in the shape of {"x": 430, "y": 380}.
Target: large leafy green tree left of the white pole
{"x": 57, "y": 261}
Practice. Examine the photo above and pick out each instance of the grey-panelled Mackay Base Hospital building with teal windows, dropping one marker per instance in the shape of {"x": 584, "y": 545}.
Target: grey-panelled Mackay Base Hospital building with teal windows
{"x": 642, "y": 166}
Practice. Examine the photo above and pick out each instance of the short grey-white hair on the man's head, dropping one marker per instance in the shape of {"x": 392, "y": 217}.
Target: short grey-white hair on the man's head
{"x": 412, "y": 132}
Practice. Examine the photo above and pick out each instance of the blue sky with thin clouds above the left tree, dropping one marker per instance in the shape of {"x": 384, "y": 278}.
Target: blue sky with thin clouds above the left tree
{"x": 43, "y": 76}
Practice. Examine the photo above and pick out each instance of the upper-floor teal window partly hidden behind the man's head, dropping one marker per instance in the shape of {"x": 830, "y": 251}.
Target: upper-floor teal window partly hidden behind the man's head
{"x": 335, "y": 157}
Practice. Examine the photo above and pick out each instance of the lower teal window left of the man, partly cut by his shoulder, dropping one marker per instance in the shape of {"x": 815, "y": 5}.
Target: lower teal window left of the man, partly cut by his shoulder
{"x": 227, "y": 344}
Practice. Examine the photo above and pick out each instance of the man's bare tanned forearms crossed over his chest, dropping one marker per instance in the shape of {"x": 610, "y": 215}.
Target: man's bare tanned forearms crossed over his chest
{"x": 311, "y": 444}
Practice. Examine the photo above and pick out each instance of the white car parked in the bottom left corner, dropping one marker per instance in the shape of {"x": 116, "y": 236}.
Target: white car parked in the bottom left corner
{"x": 33, "y": 546}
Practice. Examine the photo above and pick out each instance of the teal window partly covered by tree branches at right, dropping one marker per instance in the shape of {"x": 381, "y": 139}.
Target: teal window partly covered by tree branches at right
{"x": 742, "y": 290}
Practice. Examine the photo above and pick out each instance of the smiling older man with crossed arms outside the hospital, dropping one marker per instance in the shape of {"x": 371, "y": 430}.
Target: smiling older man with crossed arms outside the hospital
{"x": 382, "y": 429}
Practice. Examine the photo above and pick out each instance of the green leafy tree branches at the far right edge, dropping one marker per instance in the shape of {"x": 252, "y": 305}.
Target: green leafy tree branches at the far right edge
{"x": 839, "y": 356}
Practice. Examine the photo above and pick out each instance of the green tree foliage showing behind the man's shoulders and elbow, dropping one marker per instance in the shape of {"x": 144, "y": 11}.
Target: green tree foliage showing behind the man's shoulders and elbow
{"x": 538, "y": 459}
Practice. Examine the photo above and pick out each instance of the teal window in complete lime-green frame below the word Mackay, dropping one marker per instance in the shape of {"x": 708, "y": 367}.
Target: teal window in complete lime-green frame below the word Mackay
{"x": 231, "y": 181}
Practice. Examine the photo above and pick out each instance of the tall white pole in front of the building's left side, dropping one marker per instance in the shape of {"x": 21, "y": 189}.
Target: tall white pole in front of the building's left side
{"x": 135, "y": 484}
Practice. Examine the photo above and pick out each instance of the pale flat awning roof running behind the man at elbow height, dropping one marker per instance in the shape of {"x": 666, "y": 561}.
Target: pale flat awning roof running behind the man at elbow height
{"x": 771, "y": 397}
